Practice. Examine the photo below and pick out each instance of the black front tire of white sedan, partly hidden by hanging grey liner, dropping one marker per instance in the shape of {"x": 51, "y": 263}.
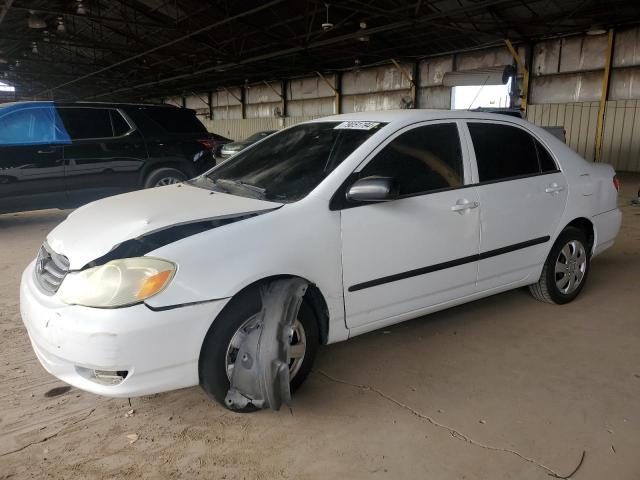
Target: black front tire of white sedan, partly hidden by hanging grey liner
{"x": 217, "y": 355}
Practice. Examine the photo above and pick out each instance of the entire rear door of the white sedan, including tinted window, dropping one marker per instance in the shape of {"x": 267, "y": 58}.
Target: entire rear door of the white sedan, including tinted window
{"x": 522, "y": 197}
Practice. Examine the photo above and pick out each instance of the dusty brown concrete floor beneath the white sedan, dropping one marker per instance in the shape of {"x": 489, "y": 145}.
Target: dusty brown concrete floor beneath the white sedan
{"x": 505, "y": 387}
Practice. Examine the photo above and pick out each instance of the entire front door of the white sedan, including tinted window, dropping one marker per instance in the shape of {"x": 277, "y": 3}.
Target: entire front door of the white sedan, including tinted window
{"x": 421, "y": 249}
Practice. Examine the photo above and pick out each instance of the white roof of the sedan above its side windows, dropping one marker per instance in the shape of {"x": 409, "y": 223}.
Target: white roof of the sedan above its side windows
{"x": 408, "y": 116}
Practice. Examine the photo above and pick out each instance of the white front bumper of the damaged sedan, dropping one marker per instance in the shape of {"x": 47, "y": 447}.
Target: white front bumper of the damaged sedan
{"x": 159, "y": 350}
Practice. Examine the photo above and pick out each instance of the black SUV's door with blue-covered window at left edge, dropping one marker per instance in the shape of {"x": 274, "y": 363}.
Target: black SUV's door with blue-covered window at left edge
{"x": 31, "y": 162}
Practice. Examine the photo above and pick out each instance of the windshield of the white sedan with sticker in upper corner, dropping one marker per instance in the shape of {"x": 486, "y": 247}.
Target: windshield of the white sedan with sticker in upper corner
{"x": 286, "y": 166}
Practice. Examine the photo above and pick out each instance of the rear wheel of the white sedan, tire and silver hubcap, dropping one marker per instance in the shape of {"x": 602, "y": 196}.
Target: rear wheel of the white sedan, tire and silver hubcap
{"x": 566, "y": 269}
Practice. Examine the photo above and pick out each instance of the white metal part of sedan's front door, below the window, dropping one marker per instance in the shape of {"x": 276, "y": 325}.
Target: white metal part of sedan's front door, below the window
{"x": 395, "y": 238}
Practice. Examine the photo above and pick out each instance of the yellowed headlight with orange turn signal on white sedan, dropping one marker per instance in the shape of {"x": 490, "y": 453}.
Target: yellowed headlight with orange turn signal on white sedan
{"x": 118, "y": 283}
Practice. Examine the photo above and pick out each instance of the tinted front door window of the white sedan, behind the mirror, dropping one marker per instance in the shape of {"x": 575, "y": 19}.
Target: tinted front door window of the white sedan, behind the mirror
{"x": 421, "y": 160}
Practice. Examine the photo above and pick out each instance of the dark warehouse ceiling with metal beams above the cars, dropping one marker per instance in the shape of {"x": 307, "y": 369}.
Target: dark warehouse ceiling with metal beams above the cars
{"x": 137, "y": 49}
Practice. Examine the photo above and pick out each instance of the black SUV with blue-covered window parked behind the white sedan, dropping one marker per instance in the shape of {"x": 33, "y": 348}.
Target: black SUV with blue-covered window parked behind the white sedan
{"x": 55, "y": 154}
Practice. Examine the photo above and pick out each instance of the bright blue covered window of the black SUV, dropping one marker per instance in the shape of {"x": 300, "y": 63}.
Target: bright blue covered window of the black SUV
{"x": 28, "y": 126}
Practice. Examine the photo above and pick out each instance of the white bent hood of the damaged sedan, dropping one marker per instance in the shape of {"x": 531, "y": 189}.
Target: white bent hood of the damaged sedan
{"x": 97, "y": 228}
